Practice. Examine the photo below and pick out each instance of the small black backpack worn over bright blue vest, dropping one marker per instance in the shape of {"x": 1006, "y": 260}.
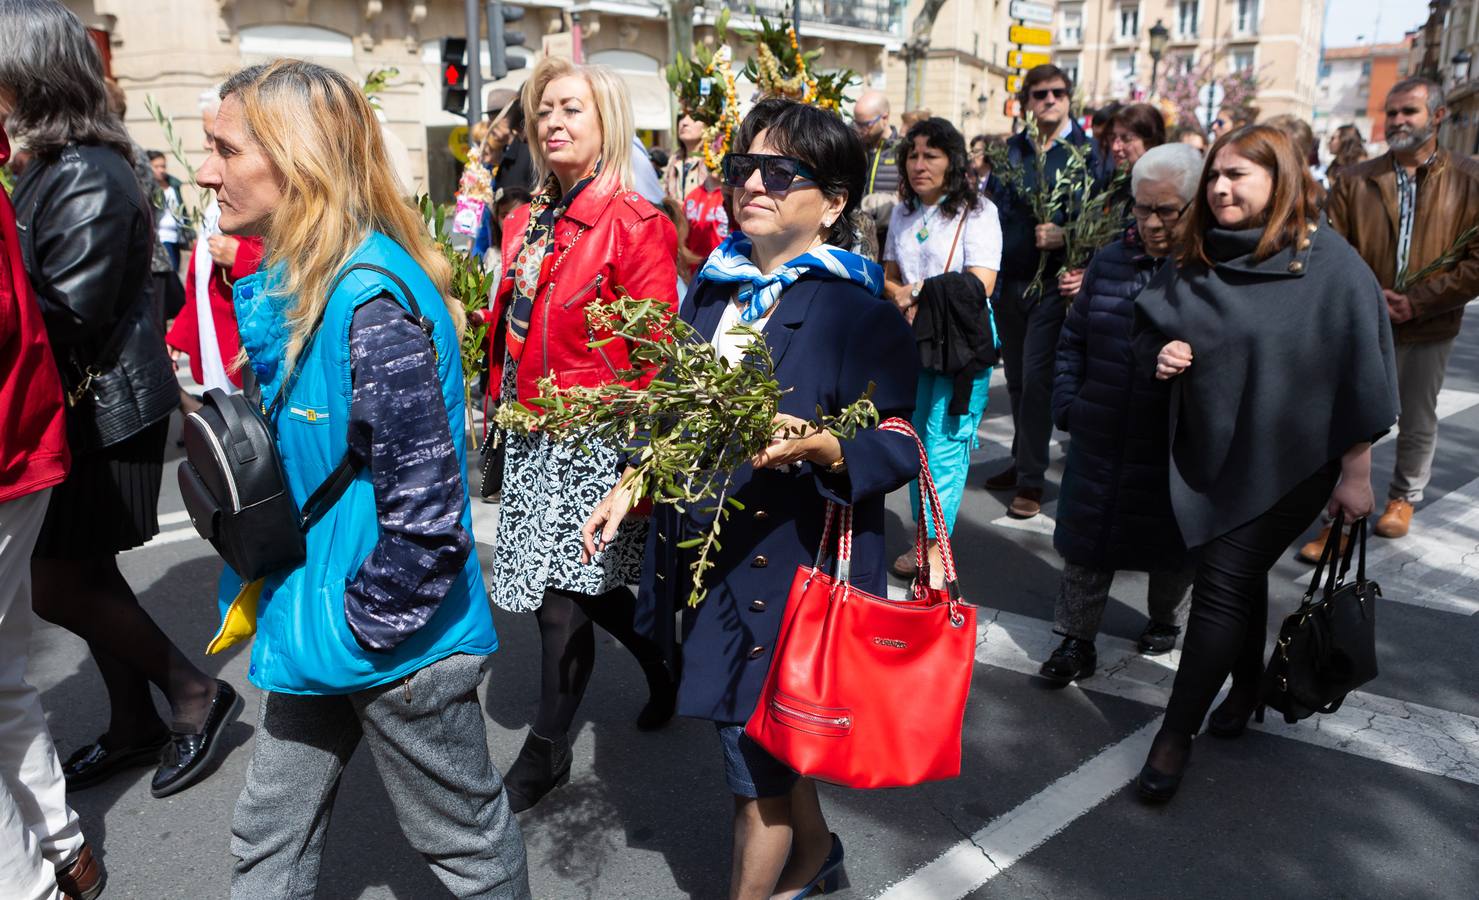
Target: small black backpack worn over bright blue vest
{"x": 234, "y": 484}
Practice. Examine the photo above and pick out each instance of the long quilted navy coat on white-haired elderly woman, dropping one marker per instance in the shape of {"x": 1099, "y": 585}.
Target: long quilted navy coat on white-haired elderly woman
{"x": 1114, "y": 511}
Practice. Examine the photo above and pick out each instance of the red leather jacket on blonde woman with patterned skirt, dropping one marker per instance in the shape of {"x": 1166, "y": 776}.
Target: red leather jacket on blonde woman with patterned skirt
{"x": 609, "y": 242}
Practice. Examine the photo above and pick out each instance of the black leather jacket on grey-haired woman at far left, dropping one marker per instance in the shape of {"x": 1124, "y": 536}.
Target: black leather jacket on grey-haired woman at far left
{"x": 87, "y": 239}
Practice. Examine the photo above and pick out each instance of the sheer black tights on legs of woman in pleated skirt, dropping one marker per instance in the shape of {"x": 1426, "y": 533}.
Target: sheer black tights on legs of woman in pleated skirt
{"x": 92, "y": 601}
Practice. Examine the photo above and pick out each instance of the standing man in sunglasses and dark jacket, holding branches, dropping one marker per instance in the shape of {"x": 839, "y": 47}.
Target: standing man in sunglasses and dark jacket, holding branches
{"x": 1030, "y": 326}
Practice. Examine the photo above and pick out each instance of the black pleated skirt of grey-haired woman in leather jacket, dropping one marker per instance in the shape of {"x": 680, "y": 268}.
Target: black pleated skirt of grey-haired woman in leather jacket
{"x": 110, "y": 500}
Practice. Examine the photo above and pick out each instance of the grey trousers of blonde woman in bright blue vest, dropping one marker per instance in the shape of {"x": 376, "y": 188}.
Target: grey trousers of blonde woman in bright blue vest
{"x": 430, "y": 744}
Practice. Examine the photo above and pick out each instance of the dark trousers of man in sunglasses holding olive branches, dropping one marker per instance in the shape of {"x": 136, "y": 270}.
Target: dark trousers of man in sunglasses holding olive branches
{"x": 1029, "y": 332}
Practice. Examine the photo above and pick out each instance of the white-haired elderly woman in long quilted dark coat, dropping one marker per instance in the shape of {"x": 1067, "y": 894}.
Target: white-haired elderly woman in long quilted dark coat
{"x": 1114, "y": 511}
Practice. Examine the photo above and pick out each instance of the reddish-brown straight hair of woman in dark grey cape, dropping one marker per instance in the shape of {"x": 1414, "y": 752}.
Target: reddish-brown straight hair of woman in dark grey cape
{"x": 1293, "y": 205}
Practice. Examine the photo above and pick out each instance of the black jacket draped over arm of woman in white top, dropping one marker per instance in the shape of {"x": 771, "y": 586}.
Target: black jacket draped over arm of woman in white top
{"x": 955, "y": 333}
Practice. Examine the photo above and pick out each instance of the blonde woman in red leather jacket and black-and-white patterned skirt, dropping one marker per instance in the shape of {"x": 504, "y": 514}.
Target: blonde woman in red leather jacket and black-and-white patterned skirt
{"x": 585, "y": 239}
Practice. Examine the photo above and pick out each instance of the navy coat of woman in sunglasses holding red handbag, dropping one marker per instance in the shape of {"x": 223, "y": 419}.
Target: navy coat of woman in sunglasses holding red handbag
{"x": 829, "y": 341}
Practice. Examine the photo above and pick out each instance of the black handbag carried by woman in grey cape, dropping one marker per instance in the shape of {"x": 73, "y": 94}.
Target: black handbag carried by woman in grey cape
{"x": 1329, "y": 647}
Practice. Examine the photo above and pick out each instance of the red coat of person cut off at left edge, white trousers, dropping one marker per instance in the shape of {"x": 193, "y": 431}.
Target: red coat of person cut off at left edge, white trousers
{"x": 33, "y": 425}
